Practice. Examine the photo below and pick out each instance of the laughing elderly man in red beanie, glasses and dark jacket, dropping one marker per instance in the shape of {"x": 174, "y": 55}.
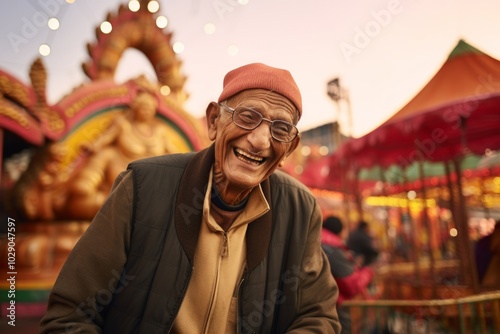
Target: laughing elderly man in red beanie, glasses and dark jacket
{"x": 216, "y": 241}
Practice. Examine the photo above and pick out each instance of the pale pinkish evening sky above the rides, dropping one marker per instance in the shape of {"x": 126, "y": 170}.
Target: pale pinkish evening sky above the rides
{"x": 384, "y": 51}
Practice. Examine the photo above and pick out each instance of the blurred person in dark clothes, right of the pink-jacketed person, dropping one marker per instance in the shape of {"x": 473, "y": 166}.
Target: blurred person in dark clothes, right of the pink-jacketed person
{"x": 361, "y": 243}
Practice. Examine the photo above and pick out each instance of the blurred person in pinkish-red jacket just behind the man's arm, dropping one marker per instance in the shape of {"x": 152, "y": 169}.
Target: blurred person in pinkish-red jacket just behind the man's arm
{"x": 352, "y": 280}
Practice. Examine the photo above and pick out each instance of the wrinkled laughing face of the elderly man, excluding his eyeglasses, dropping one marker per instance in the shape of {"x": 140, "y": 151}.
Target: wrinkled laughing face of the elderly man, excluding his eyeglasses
{"x": 244, "y": 158}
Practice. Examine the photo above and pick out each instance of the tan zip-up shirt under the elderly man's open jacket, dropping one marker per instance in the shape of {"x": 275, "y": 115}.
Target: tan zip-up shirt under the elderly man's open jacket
{"x": 210, "y": 303}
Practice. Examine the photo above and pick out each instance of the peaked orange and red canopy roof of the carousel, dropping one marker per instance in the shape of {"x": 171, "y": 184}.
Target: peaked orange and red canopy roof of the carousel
{"x": 457, "y": 112}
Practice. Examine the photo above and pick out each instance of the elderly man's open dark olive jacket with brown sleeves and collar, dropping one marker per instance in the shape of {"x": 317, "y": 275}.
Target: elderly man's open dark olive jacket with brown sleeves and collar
{"x": 130, "y": 270}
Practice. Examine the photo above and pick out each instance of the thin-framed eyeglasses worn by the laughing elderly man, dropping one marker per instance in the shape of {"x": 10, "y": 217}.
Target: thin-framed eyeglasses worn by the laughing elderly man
{"x": 250, "y": 119}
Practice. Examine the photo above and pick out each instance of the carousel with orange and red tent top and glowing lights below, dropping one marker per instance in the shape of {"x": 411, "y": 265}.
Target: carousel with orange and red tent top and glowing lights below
{"x": 431, "y": 149}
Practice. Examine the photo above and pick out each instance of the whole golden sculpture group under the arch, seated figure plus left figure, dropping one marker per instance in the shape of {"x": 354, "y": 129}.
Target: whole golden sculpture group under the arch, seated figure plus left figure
{"x": 76, "y": 189}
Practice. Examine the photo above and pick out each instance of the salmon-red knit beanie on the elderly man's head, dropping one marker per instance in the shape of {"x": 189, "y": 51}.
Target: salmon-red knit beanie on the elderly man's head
{"x": 257, "y": 75}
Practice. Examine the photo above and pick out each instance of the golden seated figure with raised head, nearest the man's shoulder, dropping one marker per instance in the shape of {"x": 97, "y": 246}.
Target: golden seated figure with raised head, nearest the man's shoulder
{"x": 135, "y": 134}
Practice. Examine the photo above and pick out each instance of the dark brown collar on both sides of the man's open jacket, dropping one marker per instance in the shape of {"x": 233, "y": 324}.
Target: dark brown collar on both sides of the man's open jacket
{"x": 189, "y": 210}
